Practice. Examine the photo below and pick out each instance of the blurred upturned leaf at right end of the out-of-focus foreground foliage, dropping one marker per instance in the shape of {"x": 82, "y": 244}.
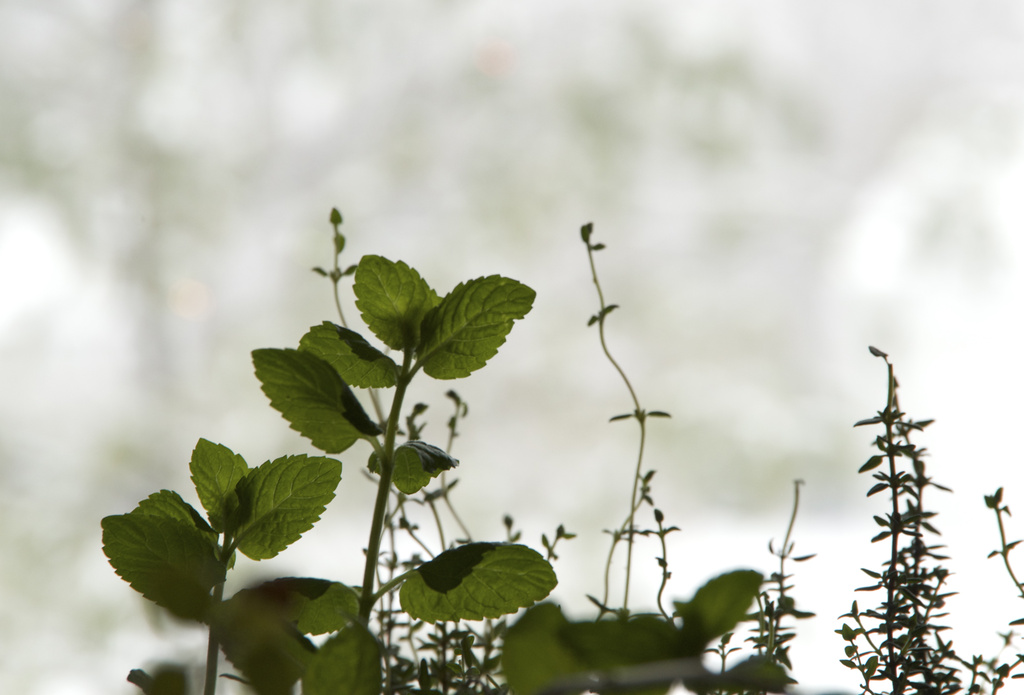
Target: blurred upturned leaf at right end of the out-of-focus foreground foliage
{"x": 716, "y": 609}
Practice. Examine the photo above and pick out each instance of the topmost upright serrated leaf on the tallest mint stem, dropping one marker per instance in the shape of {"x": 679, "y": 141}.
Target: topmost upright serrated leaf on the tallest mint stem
{"x": 394, "y": 300}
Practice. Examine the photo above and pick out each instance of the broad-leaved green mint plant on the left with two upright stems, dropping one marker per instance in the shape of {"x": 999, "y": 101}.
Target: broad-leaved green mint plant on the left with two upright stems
{"x": 180, "y": 559}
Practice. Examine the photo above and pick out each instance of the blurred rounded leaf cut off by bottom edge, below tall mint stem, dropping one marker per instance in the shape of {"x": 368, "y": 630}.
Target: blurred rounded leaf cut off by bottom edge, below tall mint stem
{"x": 349, "y": 664}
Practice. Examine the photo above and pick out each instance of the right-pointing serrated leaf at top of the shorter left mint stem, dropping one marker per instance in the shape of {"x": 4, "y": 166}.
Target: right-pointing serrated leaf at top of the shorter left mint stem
{"x": 282, "y": 500}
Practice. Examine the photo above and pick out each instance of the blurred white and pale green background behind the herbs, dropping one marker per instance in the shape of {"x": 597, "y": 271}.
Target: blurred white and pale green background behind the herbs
{"x": 780, "y": 185}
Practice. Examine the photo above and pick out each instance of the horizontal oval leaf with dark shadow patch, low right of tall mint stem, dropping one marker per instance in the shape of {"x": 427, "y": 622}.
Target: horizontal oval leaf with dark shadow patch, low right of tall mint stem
{"x": 476, "y": 582}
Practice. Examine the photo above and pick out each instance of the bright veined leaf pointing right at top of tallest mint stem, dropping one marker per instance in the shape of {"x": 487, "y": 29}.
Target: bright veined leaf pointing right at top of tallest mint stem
{"x": 462, "y": 333}
